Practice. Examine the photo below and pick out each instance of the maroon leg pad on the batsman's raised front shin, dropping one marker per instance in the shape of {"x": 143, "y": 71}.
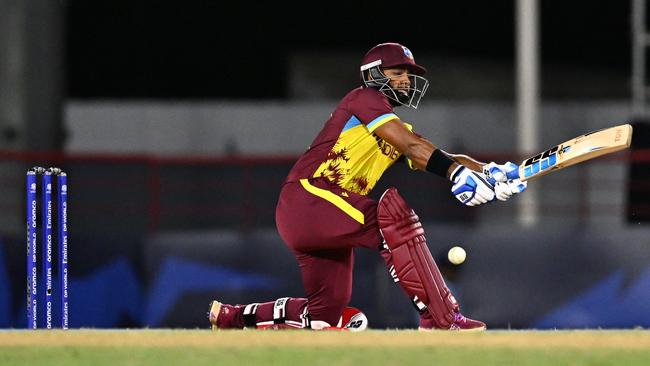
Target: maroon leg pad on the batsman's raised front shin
{"x": 413, "y": 264}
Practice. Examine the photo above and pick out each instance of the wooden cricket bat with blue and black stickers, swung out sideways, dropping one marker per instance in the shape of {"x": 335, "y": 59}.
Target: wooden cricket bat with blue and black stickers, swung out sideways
{"x": 574, "y": 151}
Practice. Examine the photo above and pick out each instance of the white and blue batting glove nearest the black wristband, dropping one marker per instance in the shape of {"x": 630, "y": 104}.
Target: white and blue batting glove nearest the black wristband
{"x": 470, "y": 187}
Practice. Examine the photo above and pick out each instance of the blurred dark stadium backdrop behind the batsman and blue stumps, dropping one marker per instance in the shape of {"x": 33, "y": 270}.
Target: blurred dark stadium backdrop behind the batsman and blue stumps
{"x": 178, "y": 122}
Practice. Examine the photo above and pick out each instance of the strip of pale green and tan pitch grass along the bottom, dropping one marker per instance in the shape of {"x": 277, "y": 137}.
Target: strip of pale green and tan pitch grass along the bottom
{"x": 390, "y": 347}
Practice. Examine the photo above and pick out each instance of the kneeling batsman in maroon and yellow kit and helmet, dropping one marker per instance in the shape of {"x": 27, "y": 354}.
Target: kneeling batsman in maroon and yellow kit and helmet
{"x": 324, "y": 212}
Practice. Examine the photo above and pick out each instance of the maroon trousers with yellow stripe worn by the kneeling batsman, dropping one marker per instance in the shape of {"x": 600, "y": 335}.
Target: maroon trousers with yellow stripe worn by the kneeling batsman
{"x": 322, "y": 224}
